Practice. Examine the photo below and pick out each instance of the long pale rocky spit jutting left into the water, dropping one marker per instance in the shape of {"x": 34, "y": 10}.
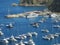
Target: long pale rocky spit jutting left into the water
{"x": 27, "y": 14}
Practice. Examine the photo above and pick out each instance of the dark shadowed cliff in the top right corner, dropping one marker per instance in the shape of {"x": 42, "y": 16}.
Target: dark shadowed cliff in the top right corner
{"x": 55, "y": 6}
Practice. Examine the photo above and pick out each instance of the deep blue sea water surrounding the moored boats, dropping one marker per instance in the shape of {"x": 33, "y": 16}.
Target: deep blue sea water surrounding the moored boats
{"x": 22, "y": 25}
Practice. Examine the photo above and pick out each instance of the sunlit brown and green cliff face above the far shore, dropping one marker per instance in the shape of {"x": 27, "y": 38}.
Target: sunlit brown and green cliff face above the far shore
{"x": 33, "y": 1}
